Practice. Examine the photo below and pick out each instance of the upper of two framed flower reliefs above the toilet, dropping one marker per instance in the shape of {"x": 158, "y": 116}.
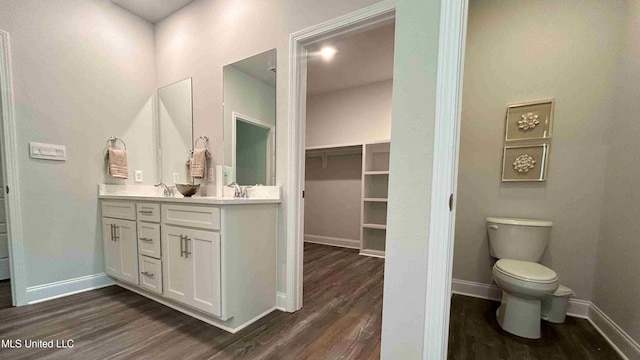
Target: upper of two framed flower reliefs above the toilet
{"x": 529, "y": 121}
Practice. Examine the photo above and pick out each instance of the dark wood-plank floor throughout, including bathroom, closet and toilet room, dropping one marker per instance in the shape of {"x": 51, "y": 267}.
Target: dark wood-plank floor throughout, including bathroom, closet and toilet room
{"x": 341, "y": 319}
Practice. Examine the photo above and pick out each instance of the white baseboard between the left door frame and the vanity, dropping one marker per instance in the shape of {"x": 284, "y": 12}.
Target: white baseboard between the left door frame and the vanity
{"x": 40, "y": 293}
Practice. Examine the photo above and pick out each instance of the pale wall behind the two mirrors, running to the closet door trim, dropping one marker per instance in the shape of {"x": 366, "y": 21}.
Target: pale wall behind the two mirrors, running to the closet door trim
{"x": 206, "y": 35}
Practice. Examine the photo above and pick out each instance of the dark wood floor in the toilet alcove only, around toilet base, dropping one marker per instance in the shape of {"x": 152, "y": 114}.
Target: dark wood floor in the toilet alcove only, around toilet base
{"x": 474, "y": 333}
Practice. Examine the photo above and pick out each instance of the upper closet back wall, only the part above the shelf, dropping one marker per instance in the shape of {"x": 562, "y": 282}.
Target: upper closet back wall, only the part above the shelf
{"x": 355, "y": 115}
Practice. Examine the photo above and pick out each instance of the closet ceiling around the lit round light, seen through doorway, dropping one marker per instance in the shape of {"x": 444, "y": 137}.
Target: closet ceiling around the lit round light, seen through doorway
{"x": 363, "y": 58}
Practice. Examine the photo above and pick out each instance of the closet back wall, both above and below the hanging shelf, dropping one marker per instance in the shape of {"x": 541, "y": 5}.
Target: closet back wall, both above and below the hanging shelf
{"x": 355, "y": 115}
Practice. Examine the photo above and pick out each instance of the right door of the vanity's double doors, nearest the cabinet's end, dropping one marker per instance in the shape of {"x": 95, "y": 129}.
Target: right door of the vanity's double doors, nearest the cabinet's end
{"x": 203, "y": 254}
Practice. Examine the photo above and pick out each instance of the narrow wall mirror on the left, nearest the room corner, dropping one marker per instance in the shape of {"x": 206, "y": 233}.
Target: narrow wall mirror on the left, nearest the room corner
{"x": 175, "y": 129}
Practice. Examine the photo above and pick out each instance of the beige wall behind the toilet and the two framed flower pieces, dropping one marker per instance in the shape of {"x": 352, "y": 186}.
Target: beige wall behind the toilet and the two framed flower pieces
{"x": 522, "y": 51}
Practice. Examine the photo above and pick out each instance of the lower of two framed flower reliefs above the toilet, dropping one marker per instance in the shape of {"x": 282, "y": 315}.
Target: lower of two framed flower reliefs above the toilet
{"x": 525, "y": 162}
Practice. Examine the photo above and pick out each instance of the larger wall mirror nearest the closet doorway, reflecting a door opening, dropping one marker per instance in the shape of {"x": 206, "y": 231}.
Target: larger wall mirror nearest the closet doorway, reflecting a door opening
{"x": 250, "y": 120}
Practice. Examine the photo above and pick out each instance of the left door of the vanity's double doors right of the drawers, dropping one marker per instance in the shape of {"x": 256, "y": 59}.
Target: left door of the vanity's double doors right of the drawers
{"x": 175, "y": 266}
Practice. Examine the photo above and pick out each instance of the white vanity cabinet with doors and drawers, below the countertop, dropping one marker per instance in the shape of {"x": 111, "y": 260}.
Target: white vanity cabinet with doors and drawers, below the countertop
{"x": 213, "y": 261}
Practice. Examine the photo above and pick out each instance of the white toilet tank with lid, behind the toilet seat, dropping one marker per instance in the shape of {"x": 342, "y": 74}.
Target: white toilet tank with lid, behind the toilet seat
{"x": 518, "y": 239}
